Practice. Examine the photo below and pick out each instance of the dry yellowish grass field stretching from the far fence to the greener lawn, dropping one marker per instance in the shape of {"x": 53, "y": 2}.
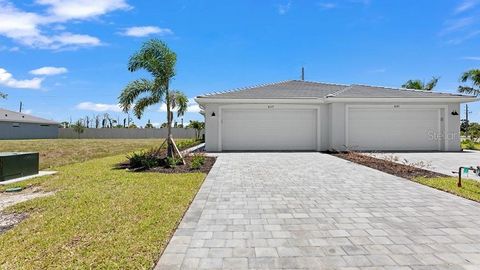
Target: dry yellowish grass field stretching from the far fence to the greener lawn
{"x": 58, "y": 152}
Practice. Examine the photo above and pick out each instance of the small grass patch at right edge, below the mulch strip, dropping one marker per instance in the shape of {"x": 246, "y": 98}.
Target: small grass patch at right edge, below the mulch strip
{"x": 470, "y": 188}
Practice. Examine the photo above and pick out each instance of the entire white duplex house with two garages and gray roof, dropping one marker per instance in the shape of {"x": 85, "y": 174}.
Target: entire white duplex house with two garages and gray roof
{"x": 301, "y": 115}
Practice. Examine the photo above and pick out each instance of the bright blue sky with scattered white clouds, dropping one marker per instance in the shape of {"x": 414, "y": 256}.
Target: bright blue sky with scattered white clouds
{"x": 67, "y": 59}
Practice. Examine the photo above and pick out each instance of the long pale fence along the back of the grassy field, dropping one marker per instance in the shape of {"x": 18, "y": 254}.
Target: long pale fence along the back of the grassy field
{"x": 125, "y": 133}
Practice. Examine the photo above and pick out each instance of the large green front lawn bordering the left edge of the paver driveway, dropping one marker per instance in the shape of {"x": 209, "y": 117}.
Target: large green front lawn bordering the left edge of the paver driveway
{"x": 98, "y": 218}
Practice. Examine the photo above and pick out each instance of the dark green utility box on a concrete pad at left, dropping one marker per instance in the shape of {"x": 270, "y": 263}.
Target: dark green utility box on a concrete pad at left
{"x": 14, "y": 165}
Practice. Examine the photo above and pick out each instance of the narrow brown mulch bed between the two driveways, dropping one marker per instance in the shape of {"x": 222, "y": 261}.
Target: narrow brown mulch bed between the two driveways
{"x": 390, "y": 167}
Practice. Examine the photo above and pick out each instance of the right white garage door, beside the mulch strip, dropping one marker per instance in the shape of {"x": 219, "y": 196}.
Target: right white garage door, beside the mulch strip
{"x": 393, "y": 129}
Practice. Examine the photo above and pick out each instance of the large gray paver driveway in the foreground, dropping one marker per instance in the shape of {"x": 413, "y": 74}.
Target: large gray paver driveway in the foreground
{"x": 315, "y": 211}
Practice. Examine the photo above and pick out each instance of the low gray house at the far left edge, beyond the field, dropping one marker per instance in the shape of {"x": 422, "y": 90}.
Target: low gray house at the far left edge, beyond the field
{"x": 14, "y": 125}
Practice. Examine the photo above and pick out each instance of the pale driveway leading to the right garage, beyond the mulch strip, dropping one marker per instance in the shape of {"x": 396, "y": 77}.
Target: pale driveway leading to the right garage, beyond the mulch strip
{"x": 445, "y": 162}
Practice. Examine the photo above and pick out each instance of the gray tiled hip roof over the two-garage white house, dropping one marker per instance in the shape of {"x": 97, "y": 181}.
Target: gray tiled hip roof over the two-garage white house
{"x": 305, "y": 89}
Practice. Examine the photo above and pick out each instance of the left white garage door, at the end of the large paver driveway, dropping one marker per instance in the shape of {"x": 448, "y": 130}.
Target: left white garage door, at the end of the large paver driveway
{"x": 268, "y": 129}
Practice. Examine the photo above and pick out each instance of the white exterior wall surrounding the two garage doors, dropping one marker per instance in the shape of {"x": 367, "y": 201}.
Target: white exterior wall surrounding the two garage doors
{"x": 332, "y": 123}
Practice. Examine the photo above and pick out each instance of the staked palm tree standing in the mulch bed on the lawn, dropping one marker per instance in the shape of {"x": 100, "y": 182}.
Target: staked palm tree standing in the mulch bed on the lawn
{"x": 156, "y": 58}
